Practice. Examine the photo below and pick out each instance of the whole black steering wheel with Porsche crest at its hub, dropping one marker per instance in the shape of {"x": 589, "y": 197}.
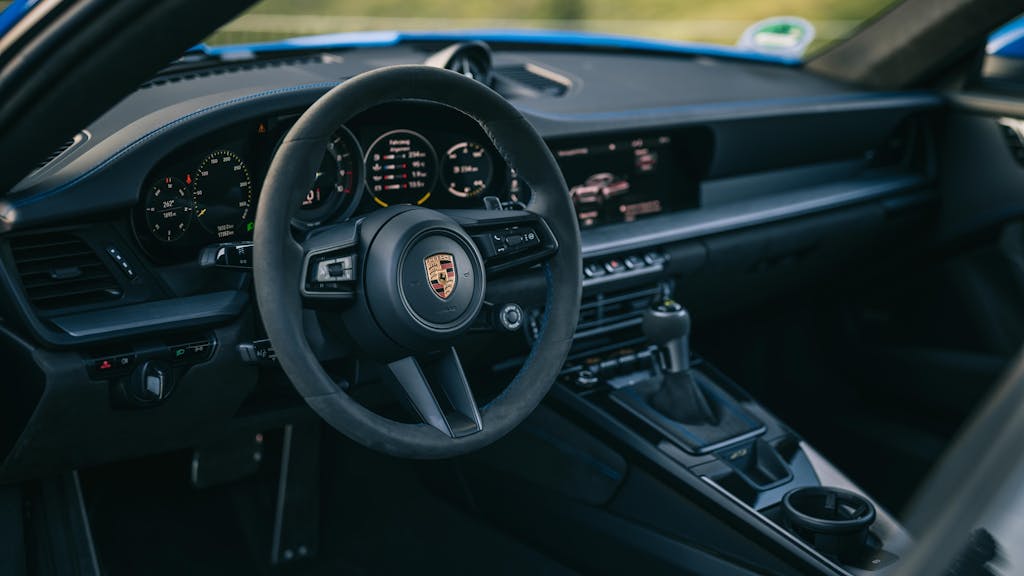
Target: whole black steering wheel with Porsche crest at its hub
{"x": 407, "y": 281}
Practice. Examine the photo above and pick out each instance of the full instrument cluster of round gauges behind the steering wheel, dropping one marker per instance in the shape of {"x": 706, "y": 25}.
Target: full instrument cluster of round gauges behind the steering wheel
{"x": 404, "y": 153}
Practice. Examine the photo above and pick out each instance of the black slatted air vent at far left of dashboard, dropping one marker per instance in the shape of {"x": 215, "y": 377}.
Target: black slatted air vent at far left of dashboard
{"x": 60, "y": 271}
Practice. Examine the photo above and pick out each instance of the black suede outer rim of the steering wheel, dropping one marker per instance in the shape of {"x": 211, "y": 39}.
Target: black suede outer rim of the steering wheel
{"x": 278, "y": 258}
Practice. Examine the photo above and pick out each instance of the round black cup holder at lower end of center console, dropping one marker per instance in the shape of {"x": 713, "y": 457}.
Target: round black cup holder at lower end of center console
{"x": 836, "y": 522}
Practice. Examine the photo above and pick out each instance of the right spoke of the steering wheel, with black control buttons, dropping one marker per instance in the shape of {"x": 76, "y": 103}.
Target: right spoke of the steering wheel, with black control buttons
{"x": 508, "y": 239}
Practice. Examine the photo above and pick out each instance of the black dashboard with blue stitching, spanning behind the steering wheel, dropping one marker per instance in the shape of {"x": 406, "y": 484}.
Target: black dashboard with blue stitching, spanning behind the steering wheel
{"x": 675, "y": 166}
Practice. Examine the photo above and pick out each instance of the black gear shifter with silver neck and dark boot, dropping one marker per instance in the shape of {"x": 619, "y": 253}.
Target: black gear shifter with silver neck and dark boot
{"x": 667, "y": 324}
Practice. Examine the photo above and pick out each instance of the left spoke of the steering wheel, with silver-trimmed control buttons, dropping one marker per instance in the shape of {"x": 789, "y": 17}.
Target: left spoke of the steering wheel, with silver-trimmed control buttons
{"x": 329, "y": 264}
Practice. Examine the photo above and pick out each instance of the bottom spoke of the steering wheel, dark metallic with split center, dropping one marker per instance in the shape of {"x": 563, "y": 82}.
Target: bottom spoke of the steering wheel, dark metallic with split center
{"x": 439, "y": 393}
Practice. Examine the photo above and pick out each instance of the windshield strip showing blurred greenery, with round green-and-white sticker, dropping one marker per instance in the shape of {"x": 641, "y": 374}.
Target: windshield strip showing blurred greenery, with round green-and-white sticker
{"x": 715, "y": 22}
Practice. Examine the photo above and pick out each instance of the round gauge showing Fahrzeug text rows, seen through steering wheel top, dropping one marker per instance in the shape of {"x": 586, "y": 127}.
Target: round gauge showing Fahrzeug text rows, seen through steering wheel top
{"x": 401, "y": 169}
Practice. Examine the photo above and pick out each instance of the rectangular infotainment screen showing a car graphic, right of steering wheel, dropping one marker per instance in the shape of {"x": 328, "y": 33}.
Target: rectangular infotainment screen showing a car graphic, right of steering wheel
{"x": 620, "y": 181}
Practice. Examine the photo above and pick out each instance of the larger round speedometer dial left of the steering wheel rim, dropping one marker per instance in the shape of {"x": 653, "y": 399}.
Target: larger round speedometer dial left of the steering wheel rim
{"x": 223, "y": 194}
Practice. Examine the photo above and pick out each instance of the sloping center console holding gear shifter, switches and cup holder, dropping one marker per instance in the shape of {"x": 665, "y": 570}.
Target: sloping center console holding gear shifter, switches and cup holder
{"x": 641, "y": 374}
